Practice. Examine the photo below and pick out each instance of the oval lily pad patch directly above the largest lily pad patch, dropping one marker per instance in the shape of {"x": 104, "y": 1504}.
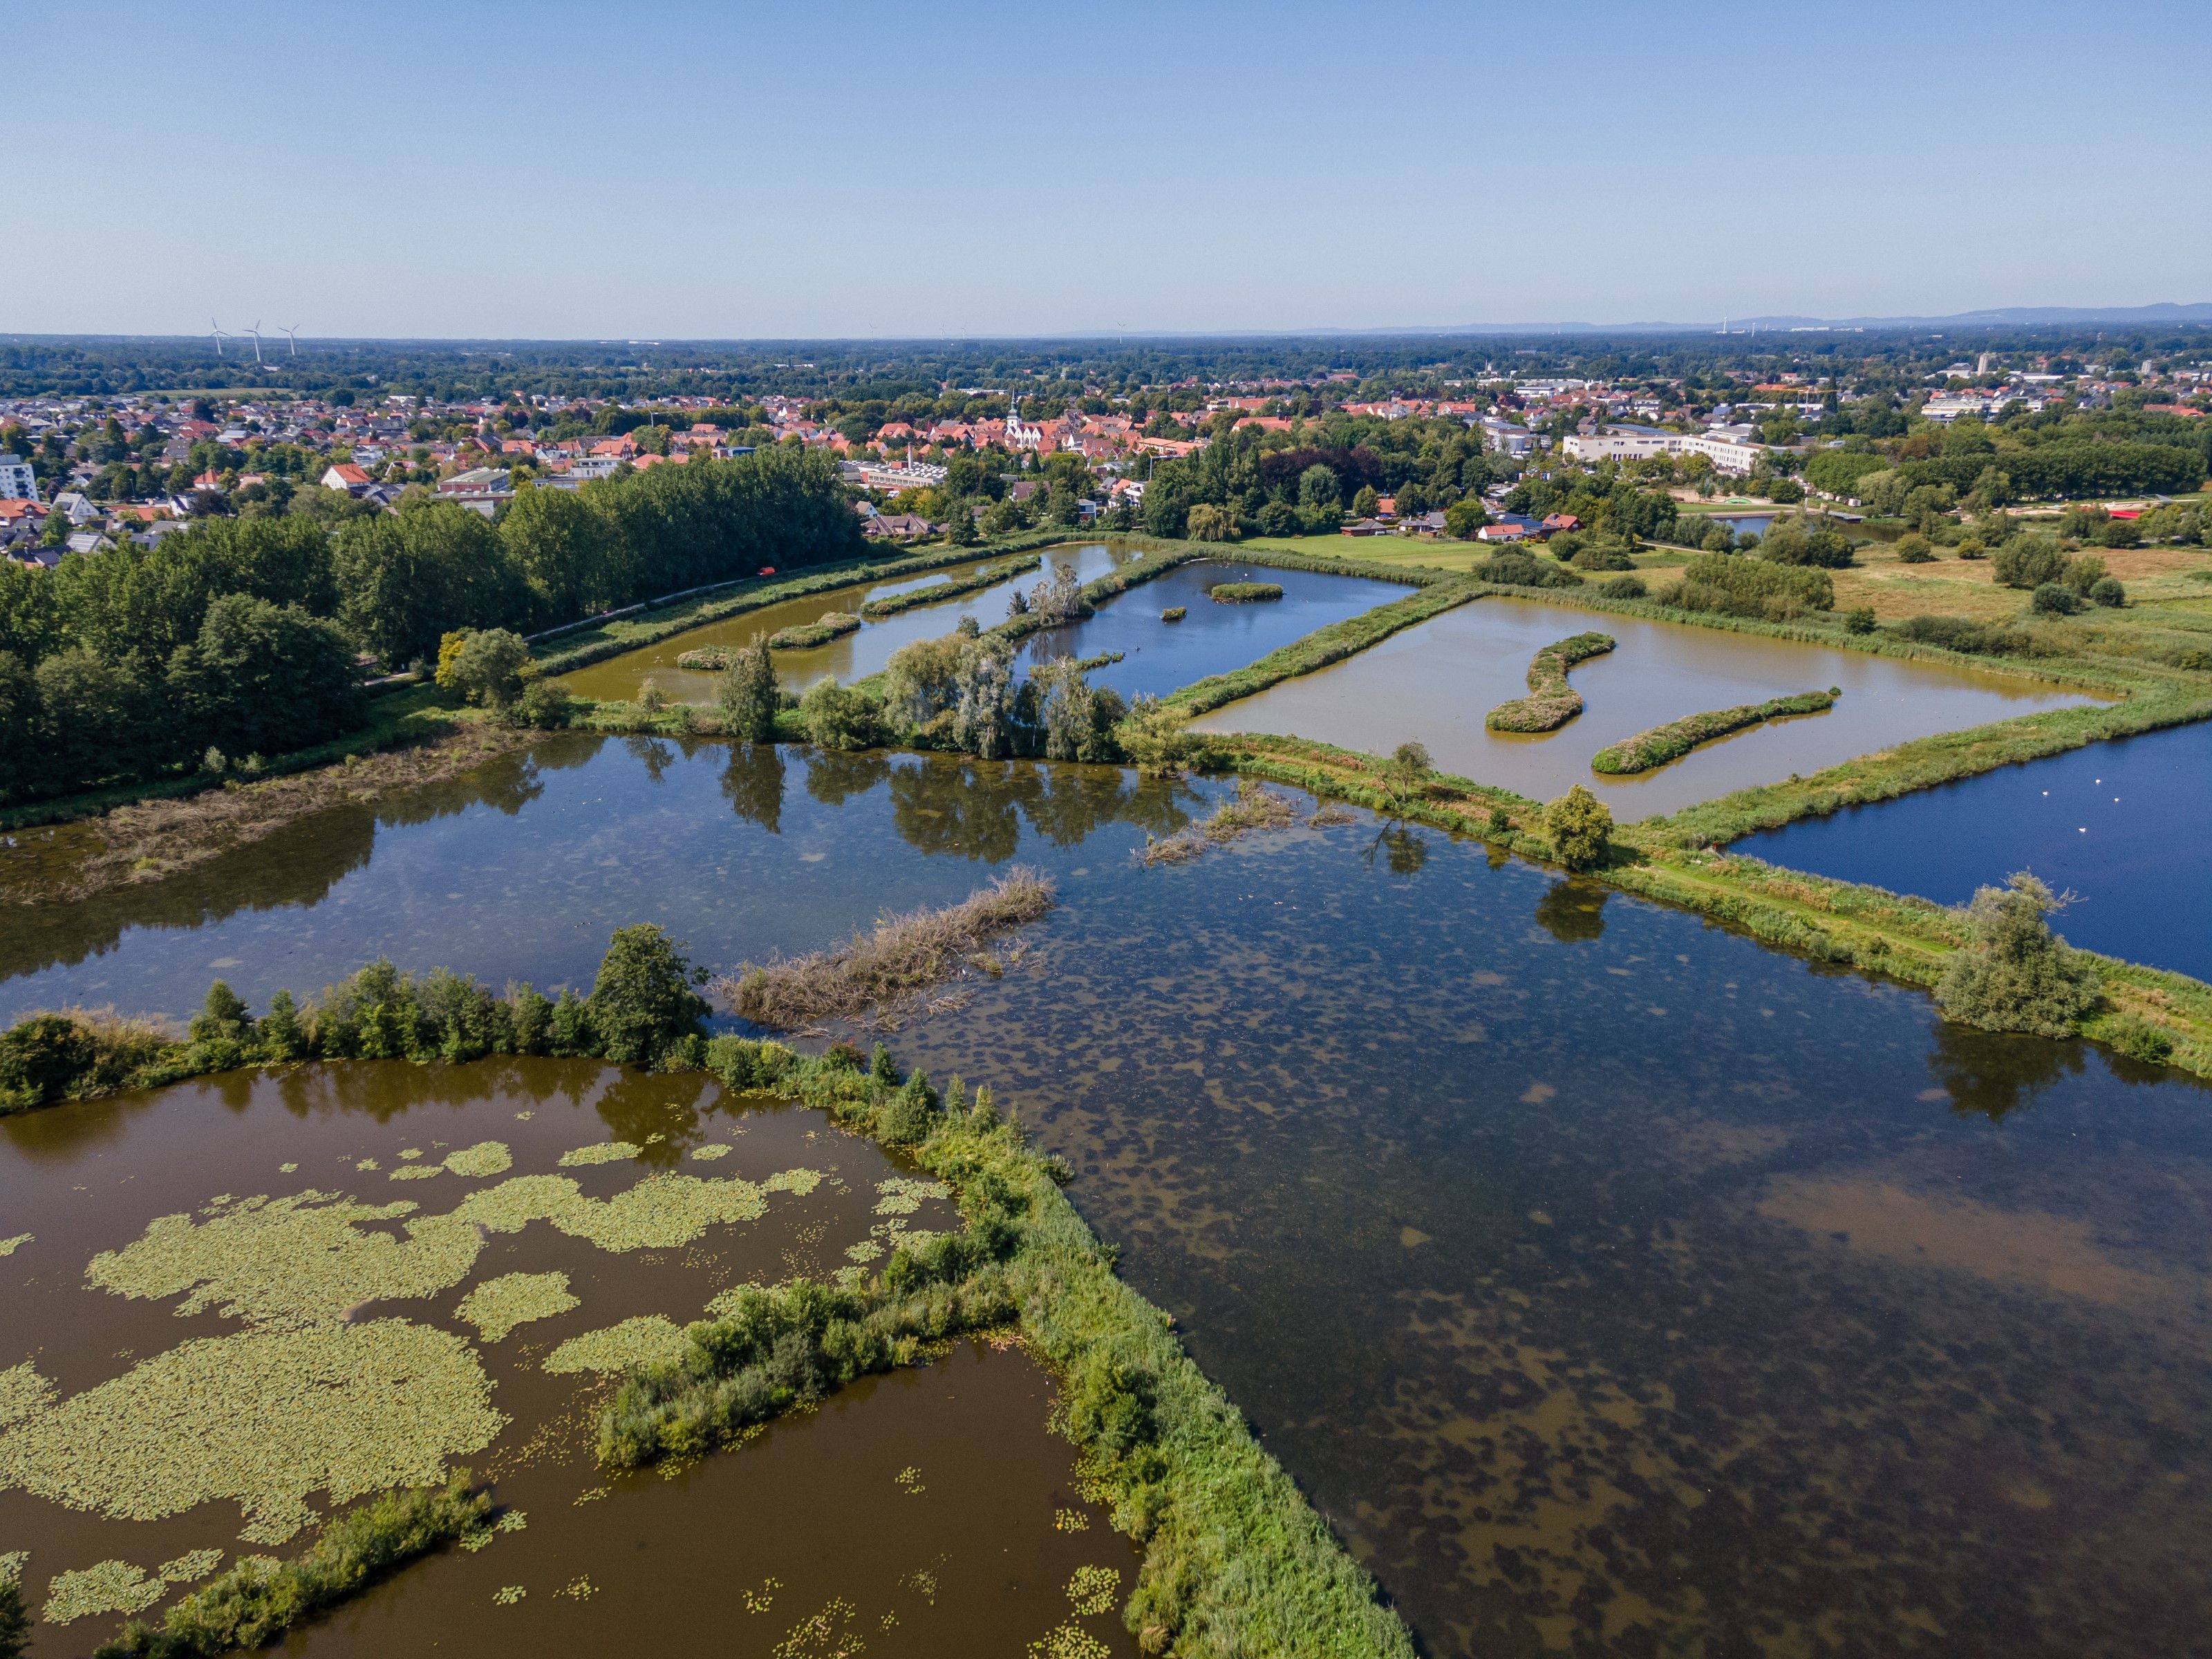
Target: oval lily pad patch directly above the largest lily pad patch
{"x": 286, "y": 1262}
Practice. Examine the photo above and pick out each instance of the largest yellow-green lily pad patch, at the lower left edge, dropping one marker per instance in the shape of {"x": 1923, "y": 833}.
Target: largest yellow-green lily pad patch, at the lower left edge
{"x": 262, "y": 1419}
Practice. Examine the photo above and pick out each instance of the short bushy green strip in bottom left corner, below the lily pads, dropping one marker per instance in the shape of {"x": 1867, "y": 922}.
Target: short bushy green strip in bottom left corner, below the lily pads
{"x": 260, "y": 1598}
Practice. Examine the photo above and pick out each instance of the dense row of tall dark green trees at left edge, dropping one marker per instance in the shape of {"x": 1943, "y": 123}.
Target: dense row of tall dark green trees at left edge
{"x": 242, "y": 638}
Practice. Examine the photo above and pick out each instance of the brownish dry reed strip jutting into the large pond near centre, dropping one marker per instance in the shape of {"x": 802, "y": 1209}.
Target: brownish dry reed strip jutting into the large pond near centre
{"x": 897, "y": 963}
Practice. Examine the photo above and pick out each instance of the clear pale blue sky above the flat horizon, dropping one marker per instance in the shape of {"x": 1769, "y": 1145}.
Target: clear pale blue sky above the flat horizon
{"x": 713, "y": 171}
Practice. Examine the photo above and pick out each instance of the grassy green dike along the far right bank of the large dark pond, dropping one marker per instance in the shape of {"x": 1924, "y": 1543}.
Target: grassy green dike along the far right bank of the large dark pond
{"x": 2147, "y": 1014}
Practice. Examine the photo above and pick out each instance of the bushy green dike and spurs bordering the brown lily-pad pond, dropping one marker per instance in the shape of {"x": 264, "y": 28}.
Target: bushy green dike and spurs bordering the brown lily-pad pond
{"x": 1235, "y": 1561}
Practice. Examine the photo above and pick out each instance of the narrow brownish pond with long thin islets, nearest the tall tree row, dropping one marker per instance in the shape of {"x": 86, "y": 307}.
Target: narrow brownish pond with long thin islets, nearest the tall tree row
{"x": 848, "y": 658}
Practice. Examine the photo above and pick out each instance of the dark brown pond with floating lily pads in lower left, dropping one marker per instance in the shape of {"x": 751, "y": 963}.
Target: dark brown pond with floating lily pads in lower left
{"x": 917, "y": 1507}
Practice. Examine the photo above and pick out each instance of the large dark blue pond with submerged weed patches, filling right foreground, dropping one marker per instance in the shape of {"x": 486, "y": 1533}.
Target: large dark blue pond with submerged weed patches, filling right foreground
{"x": 1614, "y": 1284}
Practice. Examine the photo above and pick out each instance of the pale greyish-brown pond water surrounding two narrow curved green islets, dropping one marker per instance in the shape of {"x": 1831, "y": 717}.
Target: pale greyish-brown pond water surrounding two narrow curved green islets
{"x": 1437, "y": 682}
